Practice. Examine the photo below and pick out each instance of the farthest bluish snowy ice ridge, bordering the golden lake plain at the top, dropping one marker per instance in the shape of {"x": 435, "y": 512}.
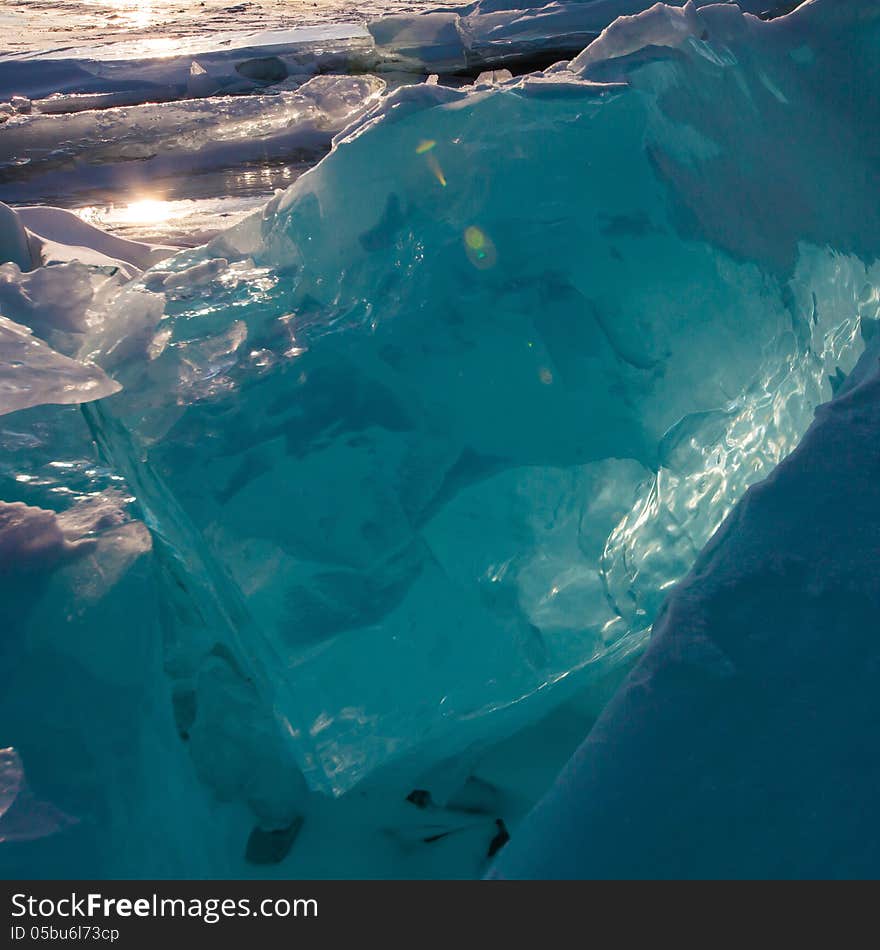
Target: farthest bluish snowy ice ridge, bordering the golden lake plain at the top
{"x": 143, "y": 70}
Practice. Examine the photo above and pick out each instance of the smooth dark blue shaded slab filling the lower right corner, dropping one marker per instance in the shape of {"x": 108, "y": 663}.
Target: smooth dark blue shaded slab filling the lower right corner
{"x": 742, "y": 744}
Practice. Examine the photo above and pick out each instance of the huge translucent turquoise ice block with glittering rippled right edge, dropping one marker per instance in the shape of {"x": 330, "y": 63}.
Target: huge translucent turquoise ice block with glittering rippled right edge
{"x": 451, "y": 415}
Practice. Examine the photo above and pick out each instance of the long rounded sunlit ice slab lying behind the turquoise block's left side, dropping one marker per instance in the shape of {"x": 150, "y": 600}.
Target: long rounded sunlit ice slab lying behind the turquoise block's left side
{"x": 134, "y": 145}
